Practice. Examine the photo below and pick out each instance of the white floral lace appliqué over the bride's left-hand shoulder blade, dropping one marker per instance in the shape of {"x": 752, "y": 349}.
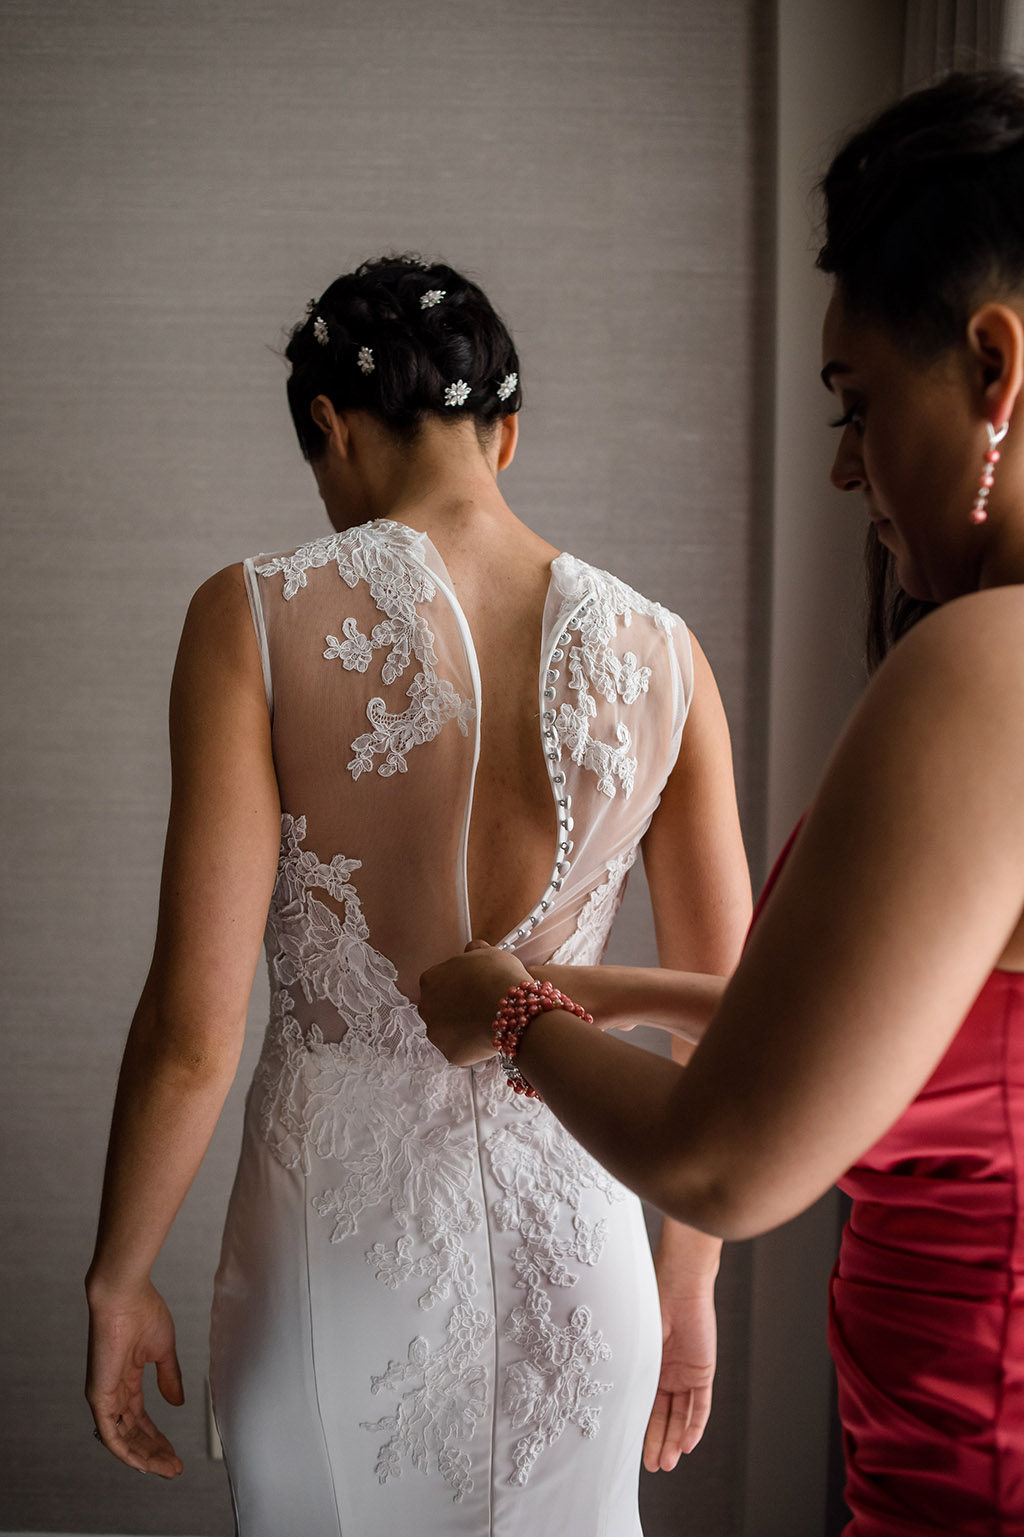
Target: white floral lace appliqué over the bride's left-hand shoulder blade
{"x": 388, "y": 557}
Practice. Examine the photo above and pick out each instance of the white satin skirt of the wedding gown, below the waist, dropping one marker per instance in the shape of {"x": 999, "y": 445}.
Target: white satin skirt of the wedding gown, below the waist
{"x": 476, "y": 1355}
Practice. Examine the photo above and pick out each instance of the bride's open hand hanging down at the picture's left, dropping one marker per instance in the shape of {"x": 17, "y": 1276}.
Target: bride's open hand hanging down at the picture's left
{"x": 127, "y": 1332}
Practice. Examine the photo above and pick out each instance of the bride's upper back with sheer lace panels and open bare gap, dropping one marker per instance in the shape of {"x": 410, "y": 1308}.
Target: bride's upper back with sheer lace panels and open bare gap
{"x": 480, "y": 740}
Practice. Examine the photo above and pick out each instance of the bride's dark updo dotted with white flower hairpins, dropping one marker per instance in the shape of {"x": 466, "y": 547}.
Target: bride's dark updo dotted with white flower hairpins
{"x": 404, "y": 340}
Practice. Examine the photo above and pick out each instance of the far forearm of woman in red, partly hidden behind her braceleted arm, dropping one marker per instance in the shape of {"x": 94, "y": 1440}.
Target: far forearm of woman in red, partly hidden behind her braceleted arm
{"x": 680, "y": 1003}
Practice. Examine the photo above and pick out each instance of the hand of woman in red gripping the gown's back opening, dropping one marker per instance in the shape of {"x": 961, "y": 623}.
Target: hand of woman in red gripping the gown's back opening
{"x": 460, "y": 998}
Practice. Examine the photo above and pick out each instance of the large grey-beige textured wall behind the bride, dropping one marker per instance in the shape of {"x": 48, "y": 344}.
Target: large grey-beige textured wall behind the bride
{"x": 178, "y": 179}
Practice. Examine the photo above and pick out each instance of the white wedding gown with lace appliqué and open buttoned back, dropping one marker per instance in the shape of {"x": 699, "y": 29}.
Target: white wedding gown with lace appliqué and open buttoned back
{"x": 434, "y": 1312}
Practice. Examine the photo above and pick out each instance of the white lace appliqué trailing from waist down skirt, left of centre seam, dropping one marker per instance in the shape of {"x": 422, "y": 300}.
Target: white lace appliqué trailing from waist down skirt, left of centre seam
{"x": 313, "y": 1098}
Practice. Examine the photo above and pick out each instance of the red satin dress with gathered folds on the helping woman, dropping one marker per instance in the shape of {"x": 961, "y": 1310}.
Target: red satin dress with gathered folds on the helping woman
{"x": 926, "y": 1310}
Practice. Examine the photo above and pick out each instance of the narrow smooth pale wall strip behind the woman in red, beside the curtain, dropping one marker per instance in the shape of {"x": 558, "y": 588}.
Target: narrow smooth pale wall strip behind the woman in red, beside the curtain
{"x": 839, "y": 62}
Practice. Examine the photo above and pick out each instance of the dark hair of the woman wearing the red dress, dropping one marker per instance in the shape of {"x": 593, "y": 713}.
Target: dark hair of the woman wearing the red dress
{"x": 925, "y": 217}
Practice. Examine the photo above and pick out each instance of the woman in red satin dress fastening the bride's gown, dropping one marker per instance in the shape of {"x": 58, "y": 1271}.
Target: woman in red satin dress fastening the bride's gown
{"x": 874, "y": 1032}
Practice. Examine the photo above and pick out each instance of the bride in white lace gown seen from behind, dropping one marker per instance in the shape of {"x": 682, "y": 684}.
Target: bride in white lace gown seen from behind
{"x": 430, "y": 726}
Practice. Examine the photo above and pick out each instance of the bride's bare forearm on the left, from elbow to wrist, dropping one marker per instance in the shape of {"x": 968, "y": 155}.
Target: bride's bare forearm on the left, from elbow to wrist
{"x": 171, "y": 1092}
